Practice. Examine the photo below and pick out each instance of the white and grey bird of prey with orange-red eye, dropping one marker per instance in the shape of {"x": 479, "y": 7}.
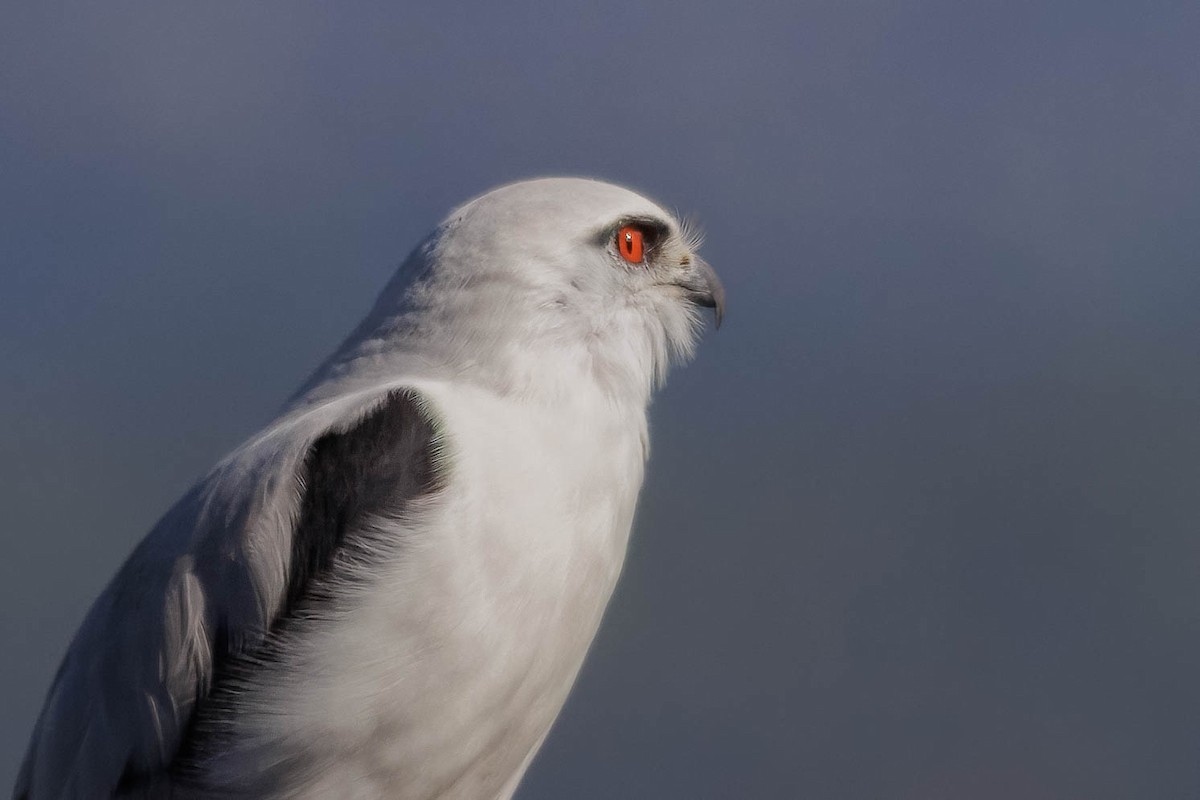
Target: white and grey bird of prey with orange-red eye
{"x": 391, "y": 590}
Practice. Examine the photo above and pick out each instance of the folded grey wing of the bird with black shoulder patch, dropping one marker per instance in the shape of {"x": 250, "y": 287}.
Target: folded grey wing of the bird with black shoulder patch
{"x": 220, "y": 572}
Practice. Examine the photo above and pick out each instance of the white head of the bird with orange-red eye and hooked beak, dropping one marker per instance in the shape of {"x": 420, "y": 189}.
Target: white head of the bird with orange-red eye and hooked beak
{"x": 536, "y": 286}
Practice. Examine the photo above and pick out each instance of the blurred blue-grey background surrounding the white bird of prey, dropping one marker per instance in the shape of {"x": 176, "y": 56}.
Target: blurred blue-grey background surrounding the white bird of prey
{"x": 922, "y": 520}
